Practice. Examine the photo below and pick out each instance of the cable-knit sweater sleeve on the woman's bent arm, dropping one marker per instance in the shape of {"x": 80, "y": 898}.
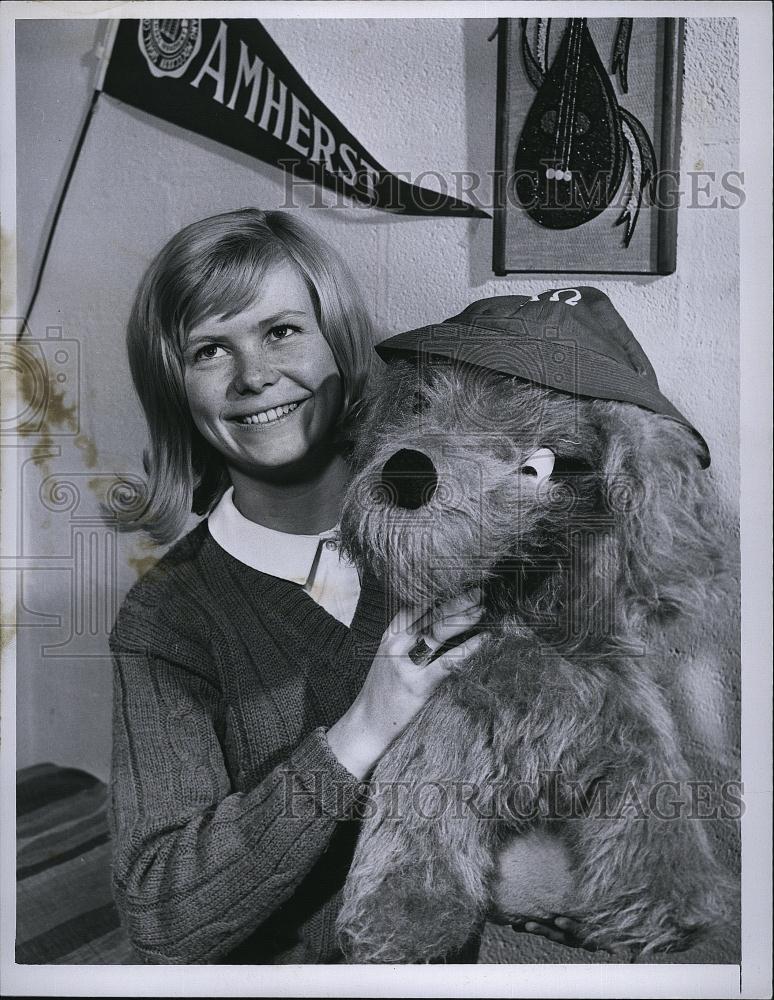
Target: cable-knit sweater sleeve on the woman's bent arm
{"x": 196, "y": 866}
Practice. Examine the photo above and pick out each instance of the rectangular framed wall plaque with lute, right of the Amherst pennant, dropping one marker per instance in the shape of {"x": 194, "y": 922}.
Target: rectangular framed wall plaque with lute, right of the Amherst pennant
{"x": 588, "y": 140}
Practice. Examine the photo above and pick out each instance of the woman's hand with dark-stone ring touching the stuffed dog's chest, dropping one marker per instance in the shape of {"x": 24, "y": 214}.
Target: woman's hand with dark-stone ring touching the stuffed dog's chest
{"x": 397, "y": 686}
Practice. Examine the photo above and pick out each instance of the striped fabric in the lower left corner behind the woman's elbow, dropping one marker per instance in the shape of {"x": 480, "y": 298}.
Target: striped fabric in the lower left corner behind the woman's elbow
{"x": 64, "y": 910}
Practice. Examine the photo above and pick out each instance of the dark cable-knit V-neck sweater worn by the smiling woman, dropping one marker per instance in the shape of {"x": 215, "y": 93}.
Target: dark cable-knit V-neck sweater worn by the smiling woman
{"x": 233, "y": 823}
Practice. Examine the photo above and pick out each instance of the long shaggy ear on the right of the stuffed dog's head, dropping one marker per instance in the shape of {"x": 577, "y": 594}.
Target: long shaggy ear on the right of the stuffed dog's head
{"x": 666, "y": 547}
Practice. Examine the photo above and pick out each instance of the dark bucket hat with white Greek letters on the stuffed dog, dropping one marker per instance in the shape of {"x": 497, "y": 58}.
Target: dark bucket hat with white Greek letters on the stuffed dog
{"x": 569, "y": 339}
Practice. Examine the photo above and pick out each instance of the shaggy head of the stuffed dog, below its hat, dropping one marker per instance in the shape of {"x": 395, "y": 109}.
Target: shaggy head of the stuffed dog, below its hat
{"x": 585, "y": 519}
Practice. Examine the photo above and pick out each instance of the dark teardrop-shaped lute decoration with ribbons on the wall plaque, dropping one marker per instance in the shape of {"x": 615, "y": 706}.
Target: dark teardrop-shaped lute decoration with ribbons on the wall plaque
{"x": 577, "y": 141}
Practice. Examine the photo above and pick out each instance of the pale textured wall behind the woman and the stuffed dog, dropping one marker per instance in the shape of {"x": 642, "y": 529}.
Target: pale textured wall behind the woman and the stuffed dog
{"x": 420, "y": 95}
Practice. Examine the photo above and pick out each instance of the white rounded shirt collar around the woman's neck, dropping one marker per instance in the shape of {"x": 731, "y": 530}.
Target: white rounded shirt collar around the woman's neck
{"x": 289, "y": 557}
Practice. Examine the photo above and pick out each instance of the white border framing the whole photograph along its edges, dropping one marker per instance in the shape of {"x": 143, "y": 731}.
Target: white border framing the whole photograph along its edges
{"x": 753, "y": 977}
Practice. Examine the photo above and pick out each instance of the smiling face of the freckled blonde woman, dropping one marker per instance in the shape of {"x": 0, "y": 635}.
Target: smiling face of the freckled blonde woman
{"x": 263, "y": 386}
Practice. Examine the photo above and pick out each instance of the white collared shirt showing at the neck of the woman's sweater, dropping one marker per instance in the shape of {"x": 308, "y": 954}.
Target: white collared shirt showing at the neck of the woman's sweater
{"x": 312, "y": 561}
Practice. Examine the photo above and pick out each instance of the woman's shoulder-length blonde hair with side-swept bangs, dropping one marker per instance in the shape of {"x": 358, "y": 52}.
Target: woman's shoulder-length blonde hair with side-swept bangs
{"x": 214, "y": 267}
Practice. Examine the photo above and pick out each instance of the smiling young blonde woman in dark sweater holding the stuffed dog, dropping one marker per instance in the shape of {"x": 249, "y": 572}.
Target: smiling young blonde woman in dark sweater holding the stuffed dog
{"x": 257, "y": 679}
